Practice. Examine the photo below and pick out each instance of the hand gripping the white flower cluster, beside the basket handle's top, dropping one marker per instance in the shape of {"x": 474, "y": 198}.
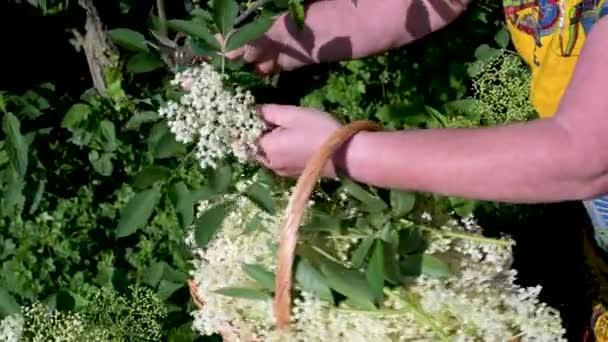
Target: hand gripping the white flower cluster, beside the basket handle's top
{"x": 297, "y": 133}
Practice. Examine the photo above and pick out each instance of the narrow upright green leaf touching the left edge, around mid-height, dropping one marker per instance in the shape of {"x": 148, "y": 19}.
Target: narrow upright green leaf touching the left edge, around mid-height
{"x": 16, "y": 145}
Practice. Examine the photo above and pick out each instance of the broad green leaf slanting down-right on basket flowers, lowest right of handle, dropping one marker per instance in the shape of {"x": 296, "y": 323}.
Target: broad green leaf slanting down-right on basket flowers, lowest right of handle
{"x": 350, "y": 283}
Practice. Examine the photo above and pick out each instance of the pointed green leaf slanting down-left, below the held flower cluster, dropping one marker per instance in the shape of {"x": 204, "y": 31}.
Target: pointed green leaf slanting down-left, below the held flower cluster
{"x": 137, "y": 212}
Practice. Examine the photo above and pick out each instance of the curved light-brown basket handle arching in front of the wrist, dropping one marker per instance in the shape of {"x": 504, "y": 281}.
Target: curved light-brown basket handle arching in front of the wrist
{"x": 295, "y": 211}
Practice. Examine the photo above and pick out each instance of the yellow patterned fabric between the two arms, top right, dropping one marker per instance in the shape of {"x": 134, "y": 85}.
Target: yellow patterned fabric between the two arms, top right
{"x": 550, "y": 41}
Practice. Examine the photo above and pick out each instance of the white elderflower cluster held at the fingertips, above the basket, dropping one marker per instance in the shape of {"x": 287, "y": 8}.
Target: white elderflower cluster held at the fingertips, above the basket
{"x": 221, "y": 122}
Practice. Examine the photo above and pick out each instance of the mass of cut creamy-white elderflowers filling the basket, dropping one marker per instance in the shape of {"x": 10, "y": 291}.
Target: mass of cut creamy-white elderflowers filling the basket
{"x": 481, "y": 302}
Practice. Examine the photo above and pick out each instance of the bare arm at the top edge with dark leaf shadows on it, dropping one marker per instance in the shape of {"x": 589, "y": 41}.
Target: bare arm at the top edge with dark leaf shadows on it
{"x": 339, "y": 30}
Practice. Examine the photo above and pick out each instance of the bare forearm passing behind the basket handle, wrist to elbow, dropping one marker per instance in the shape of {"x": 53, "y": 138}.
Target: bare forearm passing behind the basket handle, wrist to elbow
{"x": 532, "y": 162}
